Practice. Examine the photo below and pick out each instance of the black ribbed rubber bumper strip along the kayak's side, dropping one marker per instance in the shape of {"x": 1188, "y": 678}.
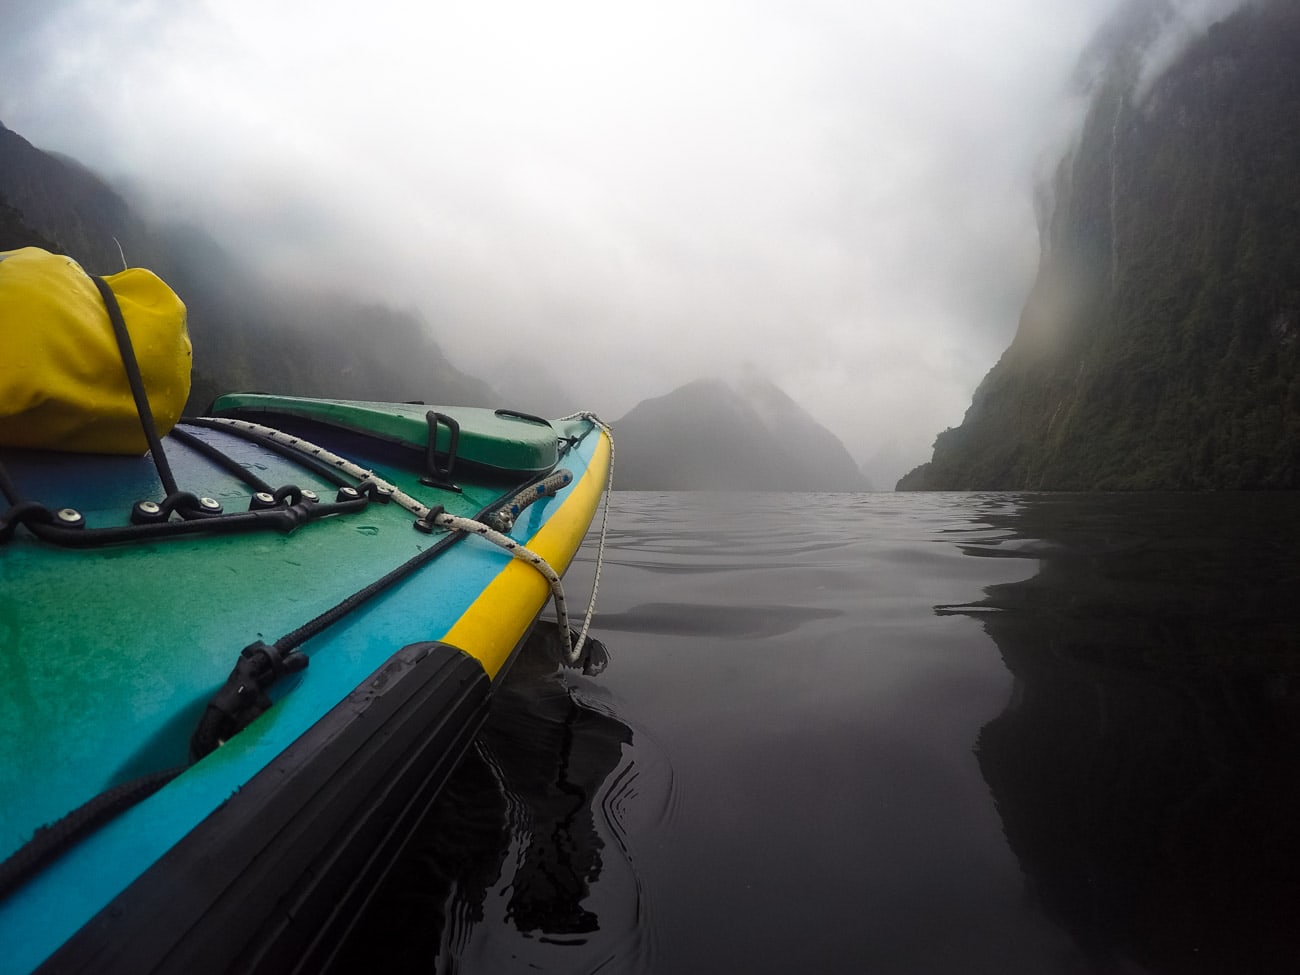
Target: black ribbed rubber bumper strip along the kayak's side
{"x": 274, "y": 879}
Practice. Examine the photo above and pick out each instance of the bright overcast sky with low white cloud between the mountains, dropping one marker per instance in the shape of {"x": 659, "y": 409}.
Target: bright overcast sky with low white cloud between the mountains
{"x": 838, "y": 193}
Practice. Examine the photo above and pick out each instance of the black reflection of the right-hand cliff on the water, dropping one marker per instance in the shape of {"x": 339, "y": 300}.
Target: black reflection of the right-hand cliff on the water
{"x": 1147, "y": 769}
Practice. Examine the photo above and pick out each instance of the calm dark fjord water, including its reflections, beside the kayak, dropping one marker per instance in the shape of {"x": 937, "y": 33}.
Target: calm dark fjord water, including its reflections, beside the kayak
{"x": 890, "y": 734}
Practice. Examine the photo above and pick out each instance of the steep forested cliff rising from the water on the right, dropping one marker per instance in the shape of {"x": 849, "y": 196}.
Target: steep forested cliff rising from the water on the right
{"x": 1160, "y": 345}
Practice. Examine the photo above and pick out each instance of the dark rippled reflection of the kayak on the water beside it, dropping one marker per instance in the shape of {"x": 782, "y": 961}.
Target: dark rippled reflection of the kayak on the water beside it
{"x": 522, "y": 830}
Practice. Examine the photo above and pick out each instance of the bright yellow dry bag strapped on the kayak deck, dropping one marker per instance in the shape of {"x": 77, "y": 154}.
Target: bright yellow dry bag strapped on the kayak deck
{"x": 63, "y": 384}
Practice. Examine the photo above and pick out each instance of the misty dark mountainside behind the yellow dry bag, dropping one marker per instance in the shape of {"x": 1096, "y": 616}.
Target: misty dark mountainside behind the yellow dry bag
{"x": 248, "y": 332}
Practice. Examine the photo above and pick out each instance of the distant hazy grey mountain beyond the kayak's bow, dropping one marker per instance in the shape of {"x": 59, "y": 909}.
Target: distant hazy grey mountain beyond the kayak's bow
{"x": 742, "y": 437}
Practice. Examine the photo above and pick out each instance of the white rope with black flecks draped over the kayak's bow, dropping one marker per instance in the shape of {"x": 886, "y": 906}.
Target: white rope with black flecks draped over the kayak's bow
{"x": 454, "y": 523}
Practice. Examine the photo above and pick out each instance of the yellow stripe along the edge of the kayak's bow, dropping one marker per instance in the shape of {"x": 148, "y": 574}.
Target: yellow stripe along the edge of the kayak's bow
{"x": 492, "y": 627}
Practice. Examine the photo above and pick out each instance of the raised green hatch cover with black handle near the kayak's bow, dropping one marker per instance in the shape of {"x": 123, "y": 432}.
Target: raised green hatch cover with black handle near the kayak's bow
{"x": 493, "y": 439}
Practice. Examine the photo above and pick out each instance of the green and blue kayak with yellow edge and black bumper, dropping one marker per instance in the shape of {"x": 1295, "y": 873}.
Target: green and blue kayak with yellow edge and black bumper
{"x": 239, "y": 669}
